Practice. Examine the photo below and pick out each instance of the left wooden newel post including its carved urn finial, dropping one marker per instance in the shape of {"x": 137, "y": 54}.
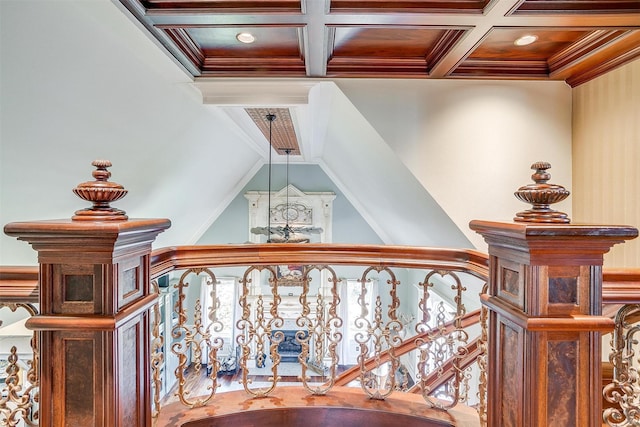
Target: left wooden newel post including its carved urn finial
{"x": 94, "y": 310}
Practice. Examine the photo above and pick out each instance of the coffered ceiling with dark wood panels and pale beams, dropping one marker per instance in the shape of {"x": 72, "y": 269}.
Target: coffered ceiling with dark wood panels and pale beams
{"x": 577, "y": 40}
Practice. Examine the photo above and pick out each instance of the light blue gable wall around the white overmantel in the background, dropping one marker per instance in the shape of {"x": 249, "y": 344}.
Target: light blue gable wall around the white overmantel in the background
{"x": 232, "y": 226}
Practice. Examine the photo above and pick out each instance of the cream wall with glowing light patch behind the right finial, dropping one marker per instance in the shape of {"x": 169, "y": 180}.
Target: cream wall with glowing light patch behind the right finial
{"x": 471, "y": 143}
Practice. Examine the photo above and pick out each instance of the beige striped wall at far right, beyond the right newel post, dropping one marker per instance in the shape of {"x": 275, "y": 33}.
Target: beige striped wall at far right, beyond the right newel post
{"x": 606, "y": 156}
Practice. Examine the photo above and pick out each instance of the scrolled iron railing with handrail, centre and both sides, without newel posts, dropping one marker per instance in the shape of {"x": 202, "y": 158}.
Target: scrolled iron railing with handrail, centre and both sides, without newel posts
{"x": 200, "y": 349}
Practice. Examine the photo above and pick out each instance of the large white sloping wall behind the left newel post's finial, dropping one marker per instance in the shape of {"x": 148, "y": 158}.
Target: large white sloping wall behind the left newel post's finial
{"x": 80, "y": 82}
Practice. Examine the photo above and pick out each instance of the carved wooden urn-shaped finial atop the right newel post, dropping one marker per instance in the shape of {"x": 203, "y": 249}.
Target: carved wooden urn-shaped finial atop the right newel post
{"x": 541, "y": 195}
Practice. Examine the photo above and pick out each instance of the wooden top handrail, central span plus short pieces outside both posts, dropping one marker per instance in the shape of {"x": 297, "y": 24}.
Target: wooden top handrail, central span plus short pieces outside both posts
{"x": 20, "y": 283}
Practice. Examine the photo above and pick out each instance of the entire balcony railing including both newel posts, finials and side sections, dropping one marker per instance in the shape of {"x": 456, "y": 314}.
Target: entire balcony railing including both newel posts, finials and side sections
{"x": 382, "y": 318}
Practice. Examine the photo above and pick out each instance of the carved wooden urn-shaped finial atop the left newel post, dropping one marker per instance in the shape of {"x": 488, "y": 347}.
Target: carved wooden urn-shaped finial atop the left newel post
{"x": 100, "y": 192}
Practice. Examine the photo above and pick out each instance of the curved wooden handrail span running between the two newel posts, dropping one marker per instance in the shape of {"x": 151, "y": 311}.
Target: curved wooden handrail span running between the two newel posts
{"x": 168, "y": 259}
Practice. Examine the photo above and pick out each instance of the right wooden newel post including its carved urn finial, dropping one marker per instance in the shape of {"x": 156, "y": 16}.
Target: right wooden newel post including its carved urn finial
{"x": 545, "y": 302}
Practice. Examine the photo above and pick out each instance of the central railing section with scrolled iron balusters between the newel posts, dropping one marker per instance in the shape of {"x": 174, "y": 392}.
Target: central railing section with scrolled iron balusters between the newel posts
{"x": 403, "y": 309}
